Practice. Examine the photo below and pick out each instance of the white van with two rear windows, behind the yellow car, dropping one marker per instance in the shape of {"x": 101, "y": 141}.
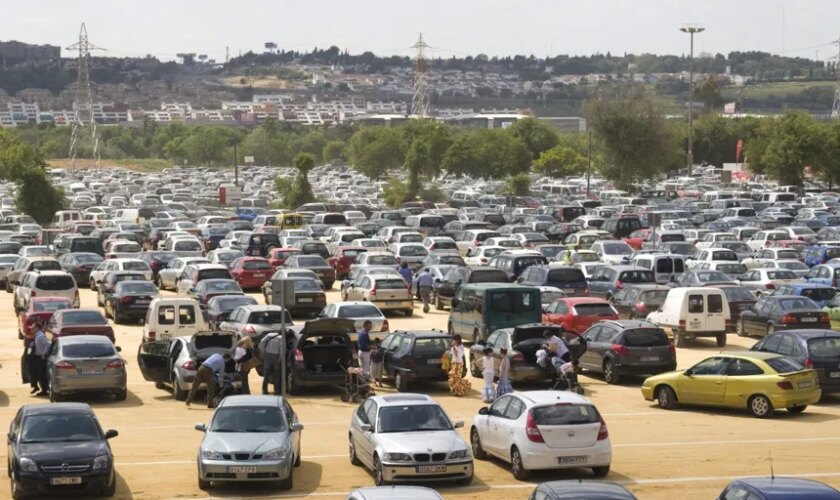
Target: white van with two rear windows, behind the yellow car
{"x": 694, "y": 312}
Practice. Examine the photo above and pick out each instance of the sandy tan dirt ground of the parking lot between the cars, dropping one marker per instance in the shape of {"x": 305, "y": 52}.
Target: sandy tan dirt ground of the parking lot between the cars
{"x": 682, "y": 454}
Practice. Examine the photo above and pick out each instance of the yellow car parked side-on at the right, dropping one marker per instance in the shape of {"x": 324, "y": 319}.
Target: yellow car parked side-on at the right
{"x": 757, "y": 381}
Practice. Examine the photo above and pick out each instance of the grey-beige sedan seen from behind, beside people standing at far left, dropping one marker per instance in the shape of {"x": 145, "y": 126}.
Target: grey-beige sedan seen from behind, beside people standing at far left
{"x": 85, "y": 363}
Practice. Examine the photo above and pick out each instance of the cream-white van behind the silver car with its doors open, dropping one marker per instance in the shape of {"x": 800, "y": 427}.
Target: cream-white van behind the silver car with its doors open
{"x": 170, "y": 317}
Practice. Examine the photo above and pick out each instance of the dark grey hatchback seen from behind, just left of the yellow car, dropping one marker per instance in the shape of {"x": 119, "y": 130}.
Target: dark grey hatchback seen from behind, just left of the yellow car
{"x": 624, "y": 347}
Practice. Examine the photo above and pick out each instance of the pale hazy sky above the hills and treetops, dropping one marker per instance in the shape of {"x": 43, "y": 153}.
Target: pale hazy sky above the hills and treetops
{"x": 452, "y": 27}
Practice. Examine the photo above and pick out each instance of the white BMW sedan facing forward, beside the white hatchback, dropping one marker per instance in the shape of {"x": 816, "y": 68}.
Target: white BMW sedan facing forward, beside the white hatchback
{"x": 408, "y": 437}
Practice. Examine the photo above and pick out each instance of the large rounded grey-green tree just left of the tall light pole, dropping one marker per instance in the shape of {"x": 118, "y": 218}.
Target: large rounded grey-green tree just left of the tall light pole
{"x": 637, "y": 140}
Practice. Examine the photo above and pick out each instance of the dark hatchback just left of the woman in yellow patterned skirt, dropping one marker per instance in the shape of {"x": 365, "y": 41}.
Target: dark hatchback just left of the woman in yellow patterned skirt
{"x": 412, "y": 356}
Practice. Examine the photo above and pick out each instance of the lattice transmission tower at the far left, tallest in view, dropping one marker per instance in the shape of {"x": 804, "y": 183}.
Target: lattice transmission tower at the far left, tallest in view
{"x": 84, "y": 124}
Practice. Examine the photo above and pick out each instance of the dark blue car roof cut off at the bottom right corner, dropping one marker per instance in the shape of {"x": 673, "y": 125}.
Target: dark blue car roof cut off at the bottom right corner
{"x": 778, "y": 488}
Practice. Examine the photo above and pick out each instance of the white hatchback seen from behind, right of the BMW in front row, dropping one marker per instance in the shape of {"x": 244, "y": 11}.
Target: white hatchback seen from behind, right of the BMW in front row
{"x": 538, "y": 430}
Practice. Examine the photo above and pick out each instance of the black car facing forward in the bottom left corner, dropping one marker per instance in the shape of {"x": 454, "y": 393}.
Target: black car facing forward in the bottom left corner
{"x": 59, "y": 447}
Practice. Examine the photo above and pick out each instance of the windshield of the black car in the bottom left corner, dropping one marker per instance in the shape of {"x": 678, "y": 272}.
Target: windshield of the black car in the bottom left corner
{"x": 67, "y": 427}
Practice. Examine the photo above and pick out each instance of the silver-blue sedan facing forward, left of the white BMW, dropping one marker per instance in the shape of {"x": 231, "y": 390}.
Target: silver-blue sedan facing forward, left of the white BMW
{"x": 265, "y": 433}
